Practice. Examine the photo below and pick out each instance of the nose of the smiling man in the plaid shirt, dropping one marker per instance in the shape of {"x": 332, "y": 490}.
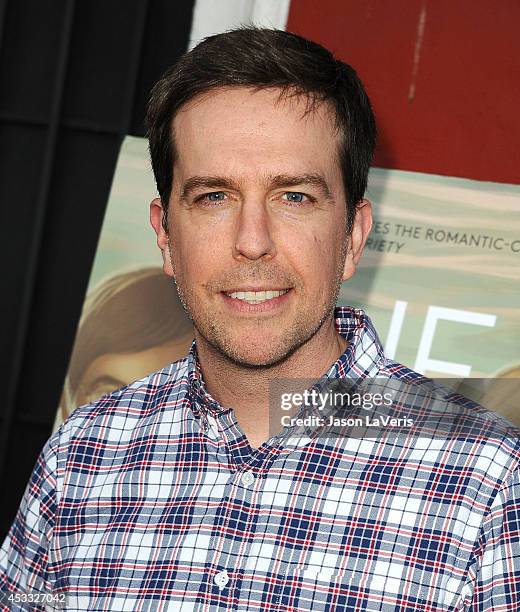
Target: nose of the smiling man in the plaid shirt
{"x": 253, "y": 232}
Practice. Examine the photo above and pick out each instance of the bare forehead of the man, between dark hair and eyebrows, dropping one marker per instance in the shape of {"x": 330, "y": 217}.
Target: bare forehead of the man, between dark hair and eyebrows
{"x": 232, "y": 131}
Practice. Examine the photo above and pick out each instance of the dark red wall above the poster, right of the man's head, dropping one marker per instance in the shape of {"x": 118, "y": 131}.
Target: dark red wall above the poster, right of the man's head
{"x": 465, "y": 117}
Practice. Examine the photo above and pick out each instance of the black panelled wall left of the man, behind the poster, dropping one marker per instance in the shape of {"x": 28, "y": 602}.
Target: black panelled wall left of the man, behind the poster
{"x": 74, "y": 78}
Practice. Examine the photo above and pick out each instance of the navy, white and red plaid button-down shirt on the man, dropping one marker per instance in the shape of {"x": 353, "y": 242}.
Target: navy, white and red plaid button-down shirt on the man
{"x": 152, "y": 499}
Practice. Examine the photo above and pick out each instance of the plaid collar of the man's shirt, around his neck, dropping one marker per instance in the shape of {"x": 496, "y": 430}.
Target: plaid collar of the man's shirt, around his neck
{"x": 363, "y": 357}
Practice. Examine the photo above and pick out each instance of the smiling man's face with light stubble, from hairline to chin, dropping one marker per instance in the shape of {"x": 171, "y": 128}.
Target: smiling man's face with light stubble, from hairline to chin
{"x": 257, "y": 205}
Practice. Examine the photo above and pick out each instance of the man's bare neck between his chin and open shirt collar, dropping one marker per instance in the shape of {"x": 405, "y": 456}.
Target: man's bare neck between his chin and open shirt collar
{"x": 246, "y": 389}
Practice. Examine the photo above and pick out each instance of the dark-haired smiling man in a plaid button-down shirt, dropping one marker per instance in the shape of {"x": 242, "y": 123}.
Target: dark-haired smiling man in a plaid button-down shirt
{"x": 173, "y": 493}
